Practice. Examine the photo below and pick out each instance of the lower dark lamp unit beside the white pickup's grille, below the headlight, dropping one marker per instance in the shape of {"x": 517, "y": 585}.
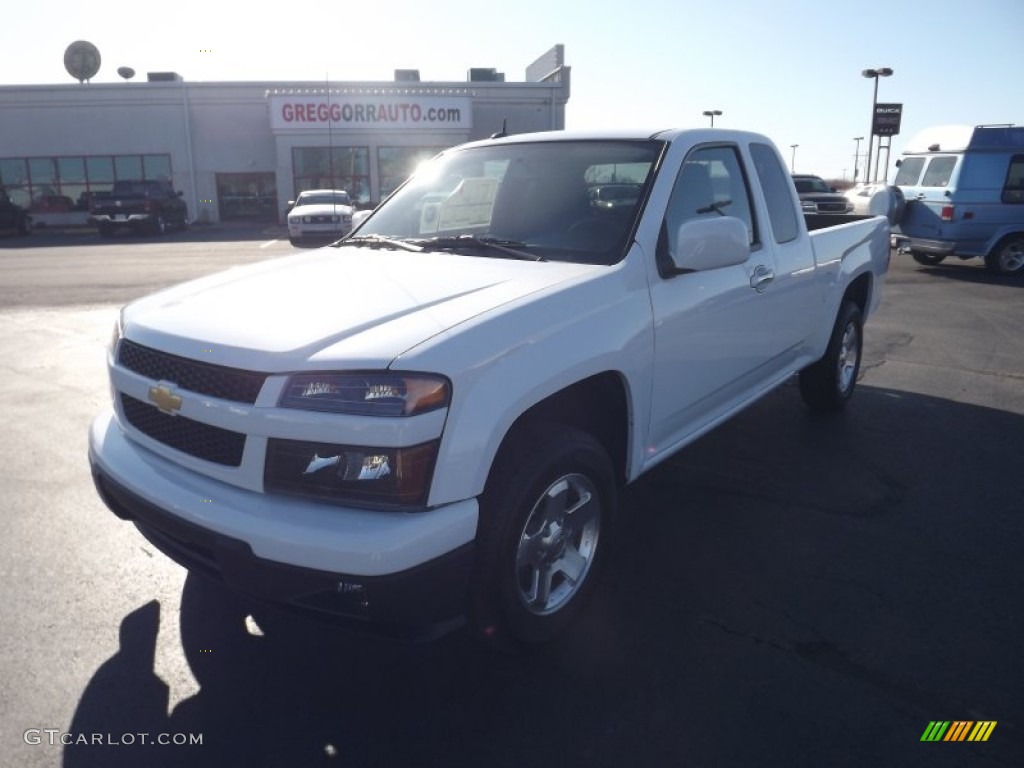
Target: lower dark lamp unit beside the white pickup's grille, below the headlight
{"x": 360, "y": 475}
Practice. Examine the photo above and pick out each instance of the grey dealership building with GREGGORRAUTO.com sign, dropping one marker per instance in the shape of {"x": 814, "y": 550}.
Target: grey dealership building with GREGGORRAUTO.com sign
{"x": 243, "y": 150}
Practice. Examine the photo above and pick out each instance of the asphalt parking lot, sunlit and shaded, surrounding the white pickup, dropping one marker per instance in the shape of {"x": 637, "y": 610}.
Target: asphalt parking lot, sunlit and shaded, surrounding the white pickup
{"x": 788, "y": 591}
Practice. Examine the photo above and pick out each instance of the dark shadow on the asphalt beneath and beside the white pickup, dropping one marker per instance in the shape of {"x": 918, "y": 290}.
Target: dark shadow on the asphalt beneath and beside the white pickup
{"x": 789, "y": 590}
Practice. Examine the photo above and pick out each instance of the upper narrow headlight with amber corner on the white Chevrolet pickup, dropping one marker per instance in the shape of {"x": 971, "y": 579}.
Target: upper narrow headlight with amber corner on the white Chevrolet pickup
{"x": 367, "y": 395}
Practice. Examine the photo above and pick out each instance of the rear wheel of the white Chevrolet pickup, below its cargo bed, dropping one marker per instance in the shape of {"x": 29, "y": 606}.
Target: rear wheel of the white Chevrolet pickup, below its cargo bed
{"x": 829, "y": 385}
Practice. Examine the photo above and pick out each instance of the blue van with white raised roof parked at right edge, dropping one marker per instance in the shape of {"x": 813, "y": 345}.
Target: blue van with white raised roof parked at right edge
{"x": 964, "y": 189}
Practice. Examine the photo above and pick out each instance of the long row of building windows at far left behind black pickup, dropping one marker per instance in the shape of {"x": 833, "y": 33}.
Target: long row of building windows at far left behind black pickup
{"x": 67, "y": 184}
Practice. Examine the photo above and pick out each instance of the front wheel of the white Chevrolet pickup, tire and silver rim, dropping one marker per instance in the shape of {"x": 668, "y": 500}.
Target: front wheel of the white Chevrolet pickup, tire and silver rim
{"x": 545, "y": 524}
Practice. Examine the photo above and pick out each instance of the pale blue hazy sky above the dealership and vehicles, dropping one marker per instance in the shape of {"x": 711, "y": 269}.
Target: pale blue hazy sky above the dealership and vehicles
{"x": 789, "y": 69}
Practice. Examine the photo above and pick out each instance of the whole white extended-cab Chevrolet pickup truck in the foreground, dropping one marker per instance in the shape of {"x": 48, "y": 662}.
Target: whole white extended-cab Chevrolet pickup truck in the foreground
{"x": 431, "y": 420}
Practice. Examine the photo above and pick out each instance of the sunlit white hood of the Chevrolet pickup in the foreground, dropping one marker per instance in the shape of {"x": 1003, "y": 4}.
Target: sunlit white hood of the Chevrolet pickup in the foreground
{"x": 346, "y": 306}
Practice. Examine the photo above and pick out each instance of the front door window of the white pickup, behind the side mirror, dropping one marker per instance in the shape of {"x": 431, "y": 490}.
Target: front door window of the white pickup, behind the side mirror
{"x": 711, "y": 184}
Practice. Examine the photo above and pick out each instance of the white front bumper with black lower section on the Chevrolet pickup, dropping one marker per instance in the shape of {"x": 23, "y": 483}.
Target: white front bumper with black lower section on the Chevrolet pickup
{"x": 403, "y": 575}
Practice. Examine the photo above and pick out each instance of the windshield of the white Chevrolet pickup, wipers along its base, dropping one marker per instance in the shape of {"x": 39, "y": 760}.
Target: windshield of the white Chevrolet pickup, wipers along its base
{"x": 548, "y": 199}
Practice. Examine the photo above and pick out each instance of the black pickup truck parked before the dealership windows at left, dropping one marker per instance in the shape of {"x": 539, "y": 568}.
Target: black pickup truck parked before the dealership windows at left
{"x": 140, "y": 206}
